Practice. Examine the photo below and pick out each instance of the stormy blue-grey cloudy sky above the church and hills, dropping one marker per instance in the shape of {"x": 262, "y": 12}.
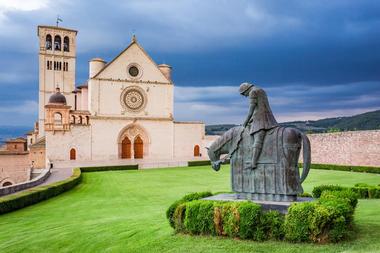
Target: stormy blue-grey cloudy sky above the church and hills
{"x": 315, "y": 59}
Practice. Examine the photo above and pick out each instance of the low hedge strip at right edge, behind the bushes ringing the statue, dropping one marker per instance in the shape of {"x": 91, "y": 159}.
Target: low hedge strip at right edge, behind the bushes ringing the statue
{"x": 363, "y": 191}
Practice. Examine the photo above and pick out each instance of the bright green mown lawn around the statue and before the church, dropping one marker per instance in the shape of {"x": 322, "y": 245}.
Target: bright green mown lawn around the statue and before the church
{"x": 124, "y": 211}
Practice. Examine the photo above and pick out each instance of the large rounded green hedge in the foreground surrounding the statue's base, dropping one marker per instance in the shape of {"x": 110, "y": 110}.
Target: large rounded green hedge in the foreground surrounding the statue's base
{"x": 328, "y": 219}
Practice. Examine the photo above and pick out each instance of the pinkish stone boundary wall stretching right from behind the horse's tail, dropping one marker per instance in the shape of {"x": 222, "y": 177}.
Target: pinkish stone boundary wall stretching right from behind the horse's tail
{"x": 358, "y": 148}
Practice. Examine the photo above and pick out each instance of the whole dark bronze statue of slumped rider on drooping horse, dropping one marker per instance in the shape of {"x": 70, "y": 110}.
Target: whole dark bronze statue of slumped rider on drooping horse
{"x": 263, "y": 155}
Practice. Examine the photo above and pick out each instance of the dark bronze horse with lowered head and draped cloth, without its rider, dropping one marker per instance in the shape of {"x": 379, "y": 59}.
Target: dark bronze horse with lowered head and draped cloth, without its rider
{"x": 277, "y": 176}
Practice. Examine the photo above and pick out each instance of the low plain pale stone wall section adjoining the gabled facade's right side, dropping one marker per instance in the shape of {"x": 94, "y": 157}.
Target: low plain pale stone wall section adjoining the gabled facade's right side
{"x": 186, "y": 136}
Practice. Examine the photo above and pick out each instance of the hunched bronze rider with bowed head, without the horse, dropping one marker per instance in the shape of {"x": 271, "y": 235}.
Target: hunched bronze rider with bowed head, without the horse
{"x": 260, "y": 117}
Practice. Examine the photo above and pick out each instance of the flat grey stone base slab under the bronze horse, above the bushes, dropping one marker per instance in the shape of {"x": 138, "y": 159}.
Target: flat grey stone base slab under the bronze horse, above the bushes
{"x": 267, "y": 205}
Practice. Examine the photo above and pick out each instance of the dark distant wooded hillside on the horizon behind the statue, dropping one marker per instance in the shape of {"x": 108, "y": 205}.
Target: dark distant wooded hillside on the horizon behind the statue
{"x": 364, "y": 121}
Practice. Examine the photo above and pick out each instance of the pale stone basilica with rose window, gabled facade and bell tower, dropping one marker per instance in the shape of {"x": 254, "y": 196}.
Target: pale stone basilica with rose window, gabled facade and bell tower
{"x": 123, "y": 111}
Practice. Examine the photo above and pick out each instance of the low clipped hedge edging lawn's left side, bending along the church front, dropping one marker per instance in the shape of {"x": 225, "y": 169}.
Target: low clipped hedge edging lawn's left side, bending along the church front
{"x": 37, "y": 194}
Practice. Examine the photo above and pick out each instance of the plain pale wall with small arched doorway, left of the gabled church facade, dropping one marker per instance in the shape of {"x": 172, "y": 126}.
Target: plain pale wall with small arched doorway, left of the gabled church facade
{"x": 59, "y": 144}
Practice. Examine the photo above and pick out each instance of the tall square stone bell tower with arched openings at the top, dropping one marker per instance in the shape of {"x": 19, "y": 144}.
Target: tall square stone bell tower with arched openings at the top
{"x": 57, "y": 59}
